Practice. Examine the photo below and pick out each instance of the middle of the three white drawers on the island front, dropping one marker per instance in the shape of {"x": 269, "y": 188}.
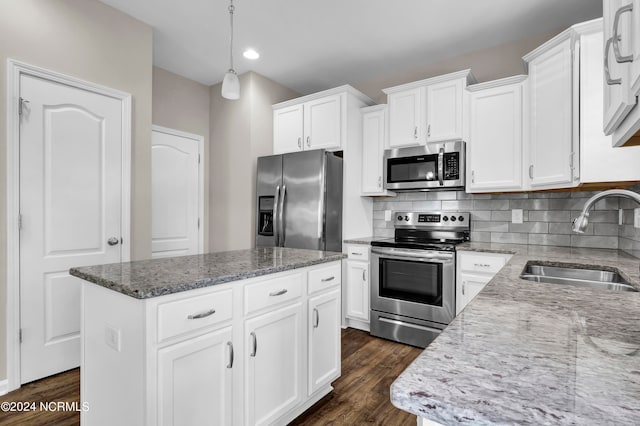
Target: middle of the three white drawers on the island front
{"x": 272, "y": 292}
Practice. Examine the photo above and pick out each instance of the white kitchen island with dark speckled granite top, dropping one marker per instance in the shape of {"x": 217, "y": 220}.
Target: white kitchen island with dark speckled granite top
{"x": 240, "y": 337}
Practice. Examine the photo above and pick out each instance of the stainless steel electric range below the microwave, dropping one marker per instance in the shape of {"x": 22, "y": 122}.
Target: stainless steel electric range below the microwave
{"x": 413, "y": 276}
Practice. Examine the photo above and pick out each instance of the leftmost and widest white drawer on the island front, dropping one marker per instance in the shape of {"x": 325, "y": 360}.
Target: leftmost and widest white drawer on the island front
{"x": 193, "y": 313}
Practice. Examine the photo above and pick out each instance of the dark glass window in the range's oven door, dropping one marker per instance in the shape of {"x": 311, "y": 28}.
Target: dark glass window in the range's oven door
{"x": 419, "y": 282}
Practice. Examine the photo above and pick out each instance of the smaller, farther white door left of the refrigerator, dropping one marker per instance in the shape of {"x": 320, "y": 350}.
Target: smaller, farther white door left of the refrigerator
{"x": 175, "y": 194}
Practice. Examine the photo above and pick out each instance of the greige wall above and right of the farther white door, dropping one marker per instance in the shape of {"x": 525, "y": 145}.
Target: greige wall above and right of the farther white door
{"x": 183, "y": 104}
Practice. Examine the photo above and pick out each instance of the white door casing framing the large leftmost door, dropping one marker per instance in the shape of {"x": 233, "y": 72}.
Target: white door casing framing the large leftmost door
{"x": 14, "y": 70}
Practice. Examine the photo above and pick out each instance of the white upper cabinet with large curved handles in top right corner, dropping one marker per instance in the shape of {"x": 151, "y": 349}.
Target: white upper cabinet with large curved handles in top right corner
{"x": 621, "y": 43}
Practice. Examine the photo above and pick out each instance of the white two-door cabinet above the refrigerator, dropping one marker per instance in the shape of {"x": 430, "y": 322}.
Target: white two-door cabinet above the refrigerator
{"x": 314, "y": 124}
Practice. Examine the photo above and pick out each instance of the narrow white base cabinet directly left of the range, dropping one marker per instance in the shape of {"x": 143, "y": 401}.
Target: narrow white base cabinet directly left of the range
{"x": 357, "y": 287}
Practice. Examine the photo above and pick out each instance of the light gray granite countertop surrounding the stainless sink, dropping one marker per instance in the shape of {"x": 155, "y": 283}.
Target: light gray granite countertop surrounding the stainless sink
{"x": 533, "y": 353}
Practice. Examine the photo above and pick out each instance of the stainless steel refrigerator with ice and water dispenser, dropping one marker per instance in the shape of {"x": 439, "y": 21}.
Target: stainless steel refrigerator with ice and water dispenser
{"x": 299, "y": 200}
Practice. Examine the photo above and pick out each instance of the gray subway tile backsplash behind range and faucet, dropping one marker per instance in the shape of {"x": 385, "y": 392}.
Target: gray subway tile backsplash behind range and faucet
{"x": 547, "y": 217}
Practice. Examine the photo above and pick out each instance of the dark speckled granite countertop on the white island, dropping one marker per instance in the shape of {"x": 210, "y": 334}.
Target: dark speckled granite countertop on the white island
{"x": 150, "y": 278}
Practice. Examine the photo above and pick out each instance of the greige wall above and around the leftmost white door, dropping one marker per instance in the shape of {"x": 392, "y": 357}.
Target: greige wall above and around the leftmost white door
{"x": 94, "y": 42}
